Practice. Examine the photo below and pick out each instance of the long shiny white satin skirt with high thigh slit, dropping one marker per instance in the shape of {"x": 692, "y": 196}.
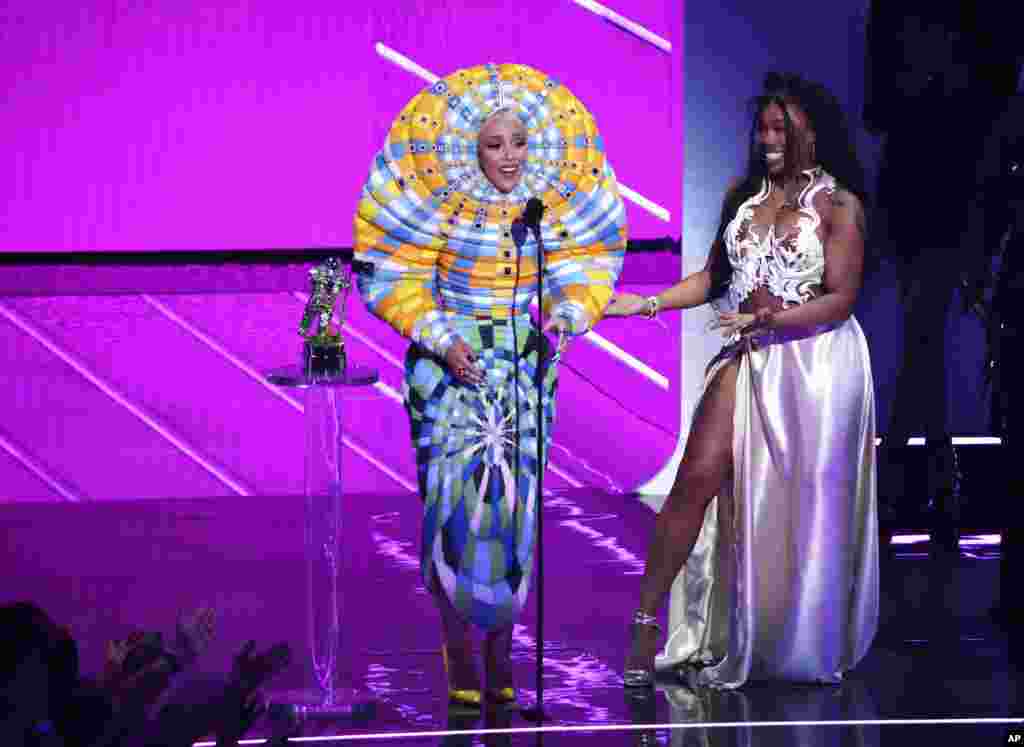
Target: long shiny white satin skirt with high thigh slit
{"x": 784, "y": 580}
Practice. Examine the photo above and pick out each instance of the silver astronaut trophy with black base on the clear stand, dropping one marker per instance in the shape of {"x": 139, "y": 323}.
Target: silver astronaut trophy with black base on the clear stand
{"x": 324, "y": 349}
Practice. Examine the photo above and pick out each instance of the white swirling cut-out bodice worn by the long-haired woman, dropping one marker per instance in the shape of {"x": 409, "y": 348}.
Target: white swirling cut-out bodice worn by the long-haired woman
{"x": 792, "y": 267}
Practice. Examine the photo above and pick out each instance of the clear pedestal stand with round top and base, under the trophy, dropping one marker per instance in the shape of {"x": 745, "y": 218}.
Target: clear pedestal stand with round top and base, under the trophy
{"x": 324, "y": 561}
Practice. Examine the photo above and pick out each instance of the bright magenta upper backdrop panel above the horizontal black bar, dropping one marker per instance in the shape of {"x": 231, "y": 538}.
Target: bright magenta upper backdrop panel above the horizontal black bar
{"x": 190, "y": 126}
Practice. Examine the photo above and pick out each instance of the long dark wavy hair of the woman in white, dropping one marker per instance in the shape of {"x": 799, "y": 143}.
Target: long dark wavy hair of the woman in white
{"x": 834, "y": 148}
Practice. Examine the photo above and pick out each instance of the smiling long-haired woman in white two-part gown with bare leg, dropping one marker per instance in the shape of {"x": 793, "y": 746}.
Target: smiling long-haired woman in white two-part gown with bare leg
{"x": 772, "y": 519}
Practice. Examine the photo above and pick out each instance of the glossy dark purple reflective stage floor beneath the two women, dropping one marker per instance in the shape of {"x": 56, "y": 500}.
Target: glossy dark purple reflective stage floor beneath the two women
{"x": 938, "y": 673}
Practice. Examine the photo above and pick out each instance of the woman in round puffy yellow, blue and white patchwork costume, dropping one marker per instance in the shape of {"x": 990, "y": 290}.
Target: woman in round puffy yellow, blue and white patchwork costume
{"x": 439, "y": 261}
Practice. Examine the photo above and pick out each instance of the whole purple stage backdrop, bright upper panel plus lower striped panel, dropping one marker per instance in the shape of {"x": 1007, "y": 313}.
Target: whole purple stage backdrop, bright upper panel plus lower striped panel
{"x": 183, "y": 127}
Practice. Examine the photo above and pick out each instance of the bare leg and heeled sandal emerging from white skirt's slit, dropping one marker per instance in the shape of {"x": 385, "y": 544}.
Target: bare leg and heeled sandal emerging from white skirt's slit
{"x": 707, "y": 464}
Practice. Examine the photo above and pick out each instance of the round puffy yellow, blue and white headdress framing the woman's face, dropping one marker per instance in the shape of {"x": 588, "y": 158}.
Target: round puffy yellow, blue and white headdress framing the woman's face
{"x": 428, "y": 178}
